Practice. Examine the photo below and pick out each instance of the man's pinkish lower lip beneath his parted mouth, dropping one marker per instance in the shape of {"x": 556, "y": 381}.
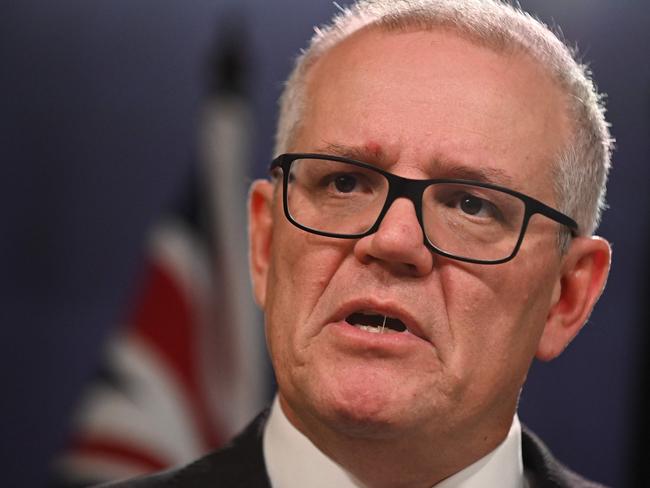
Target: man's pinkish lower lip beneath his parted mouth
{"x": 353, "y": 336}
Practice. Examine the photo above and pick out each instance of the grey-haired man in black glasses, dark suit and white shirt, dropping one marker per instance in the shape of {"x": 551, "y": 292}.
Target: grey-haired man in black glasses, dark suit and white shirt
{"x": 427, "y": 232}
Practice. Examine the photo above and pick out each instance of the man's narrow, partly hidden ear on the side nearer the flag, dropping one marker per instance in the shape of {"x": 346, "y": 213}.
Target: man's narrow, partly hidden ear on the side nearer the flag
{"x": 260, "y": 230}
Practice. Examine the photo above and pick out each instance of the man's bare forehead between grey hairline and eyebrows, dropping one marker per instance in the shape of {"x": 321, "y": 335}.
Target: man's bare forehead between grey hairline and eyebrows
{"x": 433, "y": 99}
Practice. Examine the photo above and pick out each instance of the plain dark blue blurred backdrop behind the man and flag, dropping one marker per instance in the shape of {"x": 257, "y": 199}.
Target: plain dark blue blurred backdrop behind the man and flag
{"x": 99, "y": 106}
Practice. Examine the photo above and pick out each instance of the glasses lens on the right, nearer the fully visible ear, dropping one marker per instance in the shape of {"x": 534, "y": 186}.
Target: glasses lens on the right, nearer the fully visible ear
{"x": 471, "y": 221}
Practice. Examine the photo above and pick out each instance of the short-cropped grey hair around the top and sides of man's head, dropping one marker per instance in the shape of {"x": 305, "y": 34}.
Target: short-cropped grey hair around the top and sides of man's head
{"x": 581, "y": 169}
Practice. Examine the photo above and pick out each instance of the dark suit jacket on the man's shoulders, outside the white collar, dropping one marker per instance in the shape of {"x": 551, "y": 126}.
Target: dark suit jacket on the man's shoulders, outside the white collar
{"x": 240, "y": 464}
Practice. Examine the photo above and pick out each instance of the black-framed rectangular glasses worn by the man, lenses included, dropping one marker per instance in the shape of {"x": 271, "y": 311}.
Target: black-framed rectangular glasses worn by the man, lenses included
{"x": 466, "y": 220}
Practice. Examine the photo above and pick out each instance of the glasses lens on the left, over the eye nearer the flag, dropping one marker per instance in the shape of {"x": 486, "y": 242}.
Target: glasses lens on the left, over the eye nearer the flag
{"x": 335, "y": 197}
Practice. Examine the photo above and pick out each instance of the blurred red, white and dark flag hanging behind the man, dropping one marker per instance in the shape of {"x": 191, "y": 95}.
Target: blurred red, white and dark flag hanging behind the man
{"x": 187, "y": 370}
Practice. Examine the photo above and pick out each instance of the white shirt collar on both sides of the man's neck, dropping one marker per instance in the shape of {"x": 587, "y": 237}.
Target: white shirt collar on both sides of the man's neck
{"x": 292, "y": 461}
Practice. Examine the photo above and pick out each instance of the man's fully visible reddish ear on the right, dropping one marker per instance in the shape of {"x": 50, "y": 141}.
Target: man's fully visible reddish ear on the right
{"x": 583, "y": 275}
